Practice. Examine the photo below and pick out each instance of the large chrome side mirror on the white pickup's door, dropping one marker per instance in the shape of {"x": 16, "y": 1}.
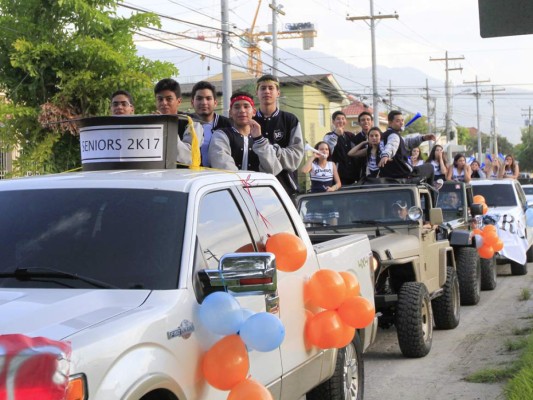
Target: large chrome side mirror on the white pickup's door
{"x": 242, "y": 273}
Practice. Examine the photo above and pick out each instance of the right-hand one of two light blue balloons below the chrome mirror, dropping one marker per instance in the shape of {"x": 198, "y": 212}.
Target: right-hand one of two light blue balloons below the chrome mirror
{"x": 262, "y": 332}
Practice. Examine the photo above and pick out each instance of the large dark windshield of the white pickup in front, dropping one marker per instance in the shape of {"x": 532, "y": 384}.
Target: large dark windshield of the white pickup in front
{"x": 74, "y": 238}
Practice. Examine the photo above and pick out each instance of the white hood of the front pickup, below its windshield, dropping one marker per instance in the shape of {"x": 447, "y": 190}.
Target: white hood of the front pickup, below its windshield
{"x": 58, "y": 314}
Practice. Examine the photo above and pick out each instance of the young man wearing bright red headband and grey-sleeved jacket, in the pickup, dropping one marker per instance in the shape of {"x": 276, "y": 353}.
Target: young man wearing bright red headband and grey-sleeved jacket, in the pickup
{"x": 235, "y": 148}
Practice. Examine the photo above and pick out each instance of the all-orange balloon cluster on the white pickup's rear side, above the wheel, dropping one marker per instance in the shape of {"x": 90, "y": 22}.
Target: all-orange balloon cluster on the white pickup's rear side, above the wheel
{"x": 341, "y": 309}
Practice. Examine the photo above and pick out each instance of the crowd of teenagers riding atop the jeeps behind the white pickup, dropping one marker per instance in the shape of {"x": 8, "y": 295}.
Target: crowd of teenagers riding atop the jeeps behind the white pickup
{"x": 371, "y": 153}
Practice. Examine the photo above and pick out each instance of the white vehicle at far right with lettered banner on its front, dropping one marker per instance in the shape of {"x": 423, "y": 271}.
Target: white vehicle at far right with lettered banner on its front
{"x": 508, "y": 207}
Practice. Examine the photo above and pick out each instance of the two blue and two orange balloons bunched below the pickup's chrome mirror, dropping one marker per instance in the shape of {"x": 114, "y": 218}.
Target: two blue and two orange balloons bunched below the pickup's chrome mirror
{"x": 225, "y": 365}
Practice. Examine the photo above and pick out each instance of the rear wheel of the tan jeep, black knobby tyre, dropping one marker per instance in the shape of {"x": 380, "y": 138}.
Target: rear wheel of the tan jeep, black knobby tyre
{"x": 446, "y": 308}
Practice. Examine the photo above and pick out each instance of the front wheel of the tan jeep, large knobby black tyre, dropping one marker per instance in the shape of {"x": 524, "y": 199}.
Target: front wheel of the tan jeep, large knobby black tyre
{"x": 414, "y": 320}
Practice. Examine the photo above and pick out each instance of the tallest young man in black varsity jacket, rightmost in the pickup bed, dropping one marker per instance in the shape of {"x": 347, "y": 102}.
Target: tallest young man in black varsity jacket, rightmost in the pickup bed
{"x": 281, "y": 142}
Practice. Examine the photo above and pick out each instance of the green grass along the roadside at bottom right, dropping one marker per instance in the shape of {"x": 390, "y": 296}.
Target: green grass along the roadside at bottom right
{"x": 519, "y": 373}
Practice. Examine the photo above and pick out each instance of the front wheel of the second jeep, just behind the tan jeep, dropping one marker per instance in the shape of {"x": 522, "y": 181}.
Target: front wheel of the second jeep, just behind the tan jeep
{"x": 469, "y": 274}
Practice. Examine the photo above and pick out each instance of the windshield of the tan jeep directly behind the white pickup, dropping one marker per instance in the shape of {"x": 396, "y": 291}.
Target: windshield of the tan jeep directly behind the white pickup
{"x": 356, "y": 208}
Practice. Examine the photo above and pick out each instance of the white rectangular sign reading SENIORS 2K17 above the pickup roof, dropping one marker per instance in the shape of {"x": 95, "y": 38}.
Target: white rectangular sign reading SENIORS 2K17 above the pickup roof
{"x": 121, "y": 143}
